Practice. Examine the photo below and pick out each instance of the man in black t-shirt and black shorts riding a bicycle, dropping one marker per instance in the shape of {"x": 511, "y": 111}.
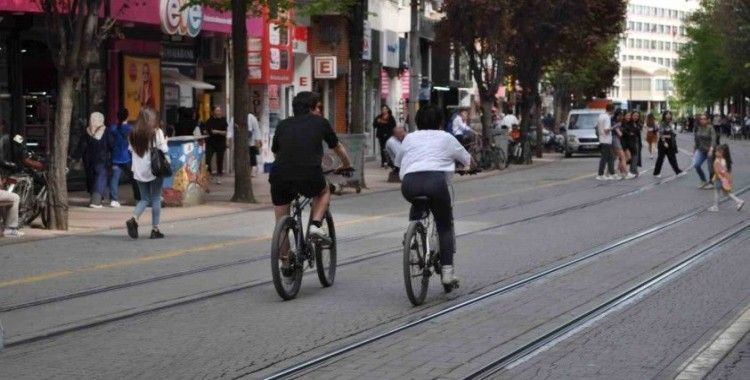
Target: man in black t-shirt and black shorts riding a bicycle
{"x": 298, "y": 150}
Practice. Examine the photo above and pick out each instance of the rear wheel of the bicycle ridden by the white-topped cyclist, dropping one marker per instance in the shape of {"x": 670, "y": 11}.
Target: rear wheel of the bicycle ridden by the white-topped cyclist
{"x": 416, "y": 270}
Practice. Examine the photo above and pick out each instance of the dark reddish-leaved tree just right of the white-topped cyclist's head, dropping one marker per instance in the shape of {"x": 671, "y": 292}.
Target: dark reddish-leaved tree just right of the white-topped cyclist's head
{"x": 481, "y": 30}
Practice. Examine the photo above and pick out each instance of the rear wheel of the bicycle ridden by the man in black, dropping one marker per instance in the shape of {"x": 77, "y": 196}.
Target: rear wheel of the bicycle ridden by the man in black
{"x": 285, "y": 268}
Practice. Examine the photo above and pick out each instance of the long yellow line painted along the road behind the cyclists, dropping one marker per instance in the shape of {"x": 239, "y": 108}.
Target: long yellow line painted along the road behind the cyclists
{"x": 231, "y": 243}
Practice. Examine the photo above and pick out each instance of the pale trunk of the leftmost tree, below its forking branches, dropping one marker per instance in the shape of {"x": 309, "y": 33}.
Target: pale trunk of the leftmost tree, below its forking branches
{"x": 57, "y": 179}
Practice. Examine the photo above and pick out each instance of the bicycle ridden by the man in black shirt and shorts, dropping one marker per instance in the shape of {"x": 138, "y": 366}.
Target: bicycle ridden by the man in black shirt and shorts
{"x": 292, "y": 238}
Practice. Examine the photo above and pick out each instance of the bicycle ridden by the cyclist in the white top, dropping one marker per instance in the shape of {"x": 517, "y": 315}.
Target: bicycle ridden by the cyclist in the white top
{"x": 421, "y": 252}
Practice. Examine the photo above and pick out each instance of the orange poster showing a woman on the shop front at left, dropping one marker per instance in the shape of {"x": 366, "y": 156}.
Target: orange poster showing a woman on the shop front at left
{"x": 141, "y": 83}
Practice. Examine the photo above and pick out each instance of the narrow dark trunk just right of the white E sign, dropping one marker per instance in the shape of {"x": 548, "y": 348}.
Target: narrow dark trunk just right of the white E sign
{"x": 356, "y": 36}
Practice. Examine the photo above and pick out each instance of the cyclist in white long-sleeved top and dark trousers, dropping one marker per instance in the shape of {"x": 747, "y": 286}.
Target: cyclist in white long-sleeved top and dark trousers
{"x": 427, "y": 160}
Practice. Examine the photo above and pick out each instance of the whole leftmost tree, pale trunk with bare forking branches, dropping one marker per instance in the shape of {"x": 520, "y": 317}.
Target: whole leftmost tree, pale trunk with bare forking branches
{"x": 74, "y": 32}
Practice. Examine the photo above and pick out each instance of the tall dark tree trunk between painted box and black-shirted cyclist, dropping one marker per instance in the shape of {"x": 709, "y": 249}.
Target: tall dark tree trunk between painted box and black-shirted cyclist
{"x": 243, "y": 189}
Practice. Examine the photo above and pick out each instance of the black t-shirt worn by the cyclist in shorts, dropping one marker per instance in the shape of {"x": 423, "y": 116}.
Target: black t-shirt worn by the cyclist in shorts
{"x": 298, "y": 146}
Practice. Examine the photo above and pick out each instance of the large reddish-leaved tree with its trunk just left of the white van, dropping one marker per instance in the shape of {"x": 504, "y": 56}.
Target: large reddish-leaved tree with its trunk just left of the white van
{"x": 548, "y": 32}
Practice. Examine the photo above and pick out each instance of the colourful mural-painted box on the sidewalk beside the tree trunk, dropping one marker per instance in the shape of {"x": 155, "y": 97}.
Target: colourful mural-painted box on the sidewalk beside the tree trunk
{"x": 189, "y": 184}
